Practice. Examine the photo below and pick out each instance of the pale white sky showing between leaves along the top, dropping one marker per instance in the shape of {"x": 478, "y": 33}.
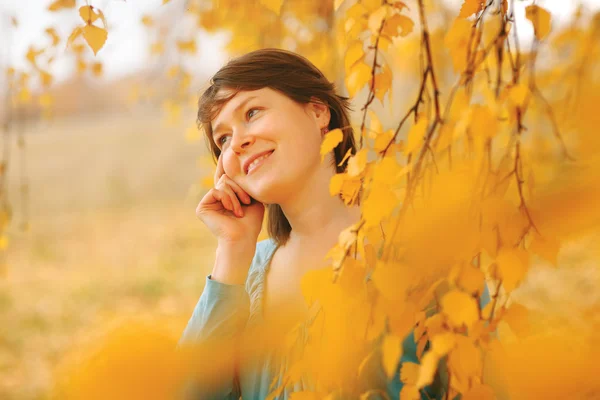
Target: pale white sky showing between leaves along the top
{"x": 126, "y": 49}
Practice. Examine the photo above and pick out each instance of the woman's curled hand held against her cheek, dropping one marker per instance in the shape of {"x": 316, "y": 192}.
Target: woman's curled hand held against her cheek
{"x": 229, "y": 212}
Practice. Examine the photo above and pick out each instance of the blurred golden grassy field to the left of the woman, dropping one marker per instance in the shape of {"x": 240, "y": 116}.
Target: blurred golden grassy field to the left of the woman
{"x": 112, "y": 234}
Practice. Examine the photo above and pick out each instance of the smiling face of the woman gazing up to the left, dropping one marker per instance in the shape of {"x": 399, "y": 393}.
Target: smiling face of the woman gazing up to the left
{"x": 268, "y": 123}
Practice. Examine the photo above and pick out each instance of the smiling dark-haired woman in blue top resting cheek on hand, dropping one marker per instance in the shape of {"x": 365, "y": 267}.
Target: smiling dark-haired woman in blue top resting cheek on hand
{"x": 265, "y": 115}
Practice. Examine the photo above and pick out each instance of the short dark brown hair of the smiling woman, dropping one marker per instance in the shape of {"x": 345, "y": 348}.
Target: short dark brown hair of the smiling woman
{"x": 292, "y": 75}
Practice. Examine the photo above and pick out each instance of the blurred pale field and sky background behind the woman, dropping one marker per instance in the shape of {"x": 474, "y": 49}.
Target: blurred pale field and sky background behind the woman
{"x": 103, "y": 167}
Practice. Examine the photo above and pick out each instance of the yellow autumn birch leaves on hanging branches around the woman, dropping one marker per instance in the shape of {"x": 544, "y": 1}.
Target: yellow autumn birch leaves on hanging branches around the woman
{"x": 478, "y": 160}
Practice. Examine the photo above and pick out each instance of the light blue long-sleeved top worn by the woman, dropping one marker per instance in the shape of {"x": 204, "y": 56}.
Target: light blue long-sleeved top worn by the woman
{"x": 225, "y": 310}
